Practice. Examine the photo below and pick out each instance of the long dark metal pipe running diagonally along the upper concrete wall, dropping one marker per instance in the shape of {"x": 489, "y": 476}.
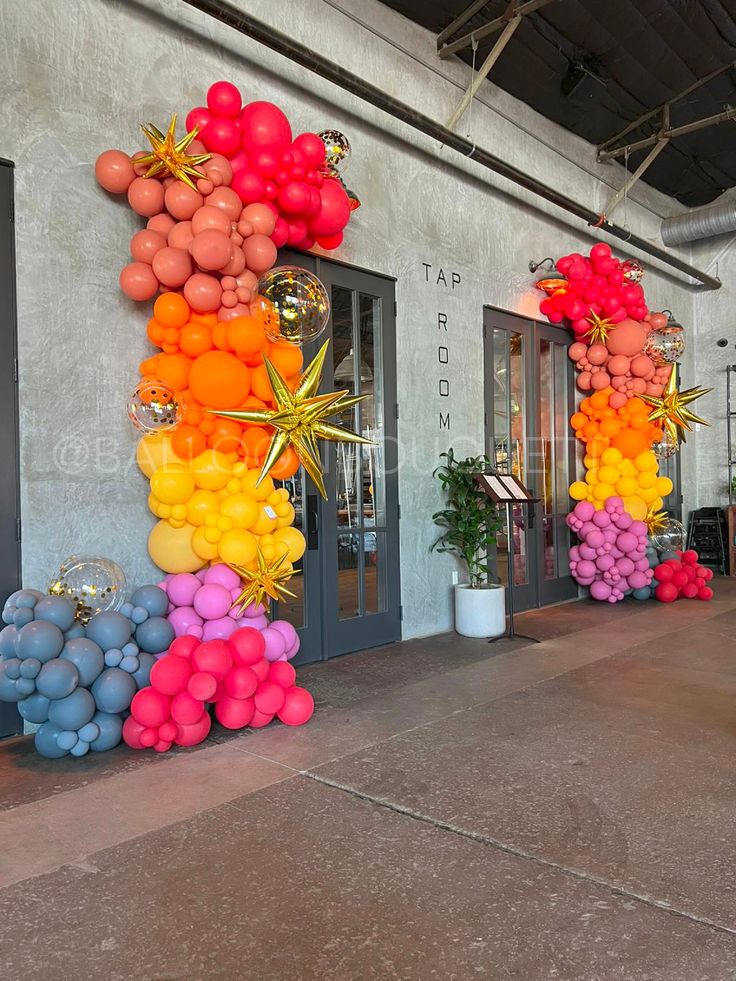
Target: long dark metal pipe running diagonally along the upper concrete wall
{"x": 255, "y": 29}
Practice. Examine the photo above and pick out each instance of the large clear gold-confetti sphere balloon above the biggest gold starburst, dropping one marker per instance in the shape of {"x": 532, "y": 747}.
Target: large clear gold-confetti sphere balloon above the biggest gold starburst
{"x": 292, "y": 304}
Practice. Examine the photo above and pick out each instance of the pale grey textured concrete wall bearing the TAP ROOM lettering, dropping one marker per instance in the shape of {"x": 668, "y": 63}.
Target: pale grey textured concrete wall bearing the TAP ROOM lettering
{"x": 80, "y": 75}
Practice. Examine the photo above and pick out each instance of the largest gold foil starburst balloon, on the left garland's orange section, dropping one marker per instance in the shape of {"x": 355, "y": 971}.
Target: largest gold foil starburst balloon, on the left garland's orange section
{"x": 299, "y": 418}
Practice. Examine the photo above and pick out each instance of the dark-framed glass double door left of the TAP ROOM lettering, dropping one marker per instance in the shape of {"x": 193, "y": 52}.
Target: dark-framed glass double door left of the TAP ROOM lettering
{"x": 347, "y": 590}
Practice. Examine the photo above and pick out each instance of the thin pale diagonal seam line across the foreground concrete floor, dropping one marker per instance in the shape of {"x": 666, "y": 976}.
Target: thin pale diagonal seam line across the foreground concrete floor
{"x": 491, "y": 842}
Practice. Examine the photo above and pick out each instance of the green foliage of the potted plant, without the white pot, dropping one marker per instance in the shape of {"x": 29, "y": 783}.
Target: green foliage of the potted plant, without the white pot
{"x": 471, "y": 520}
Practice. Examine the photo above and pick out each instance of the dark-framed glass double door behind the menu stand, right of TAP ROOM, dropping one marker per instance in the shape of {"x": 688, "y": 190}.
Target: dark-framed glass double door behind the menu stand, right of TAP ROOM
{"x": 529, "y": 396}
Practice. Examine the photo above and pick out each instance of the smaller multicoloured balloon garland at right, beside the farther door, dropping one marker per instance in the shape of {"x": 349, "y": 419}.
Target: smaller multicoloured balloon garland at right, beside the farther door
{"x": 632, "y": 416}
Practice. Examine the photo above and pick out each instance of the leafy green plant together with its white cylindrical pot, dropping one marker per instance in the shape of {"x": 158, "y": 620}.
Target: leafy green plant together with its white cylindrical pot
{"x": 470, "y": 523}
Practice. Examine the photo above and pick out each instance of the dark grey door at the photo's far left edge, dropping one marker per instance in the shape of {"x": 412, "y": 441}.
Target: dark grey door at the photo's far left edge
{"x": 10, "y": 557}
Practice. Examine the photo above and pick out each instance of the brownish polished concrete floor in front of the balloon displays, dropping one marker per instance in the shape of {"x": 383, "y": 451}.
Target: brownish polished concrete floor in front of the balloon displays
{"x": 562, "y": 810}
